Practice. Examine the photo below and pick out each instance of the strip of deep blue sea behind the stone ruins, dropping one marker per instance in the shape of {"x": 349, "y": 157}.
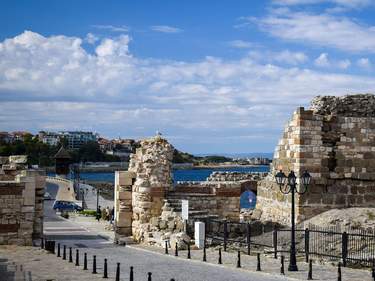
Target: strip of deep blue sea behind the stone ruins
{"x": 200, "y": 174}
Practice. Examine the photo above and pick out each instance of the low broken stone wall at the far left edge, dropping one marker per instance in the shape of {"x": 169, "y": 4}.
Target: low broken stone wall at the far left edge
{"x": 21, "y": 201}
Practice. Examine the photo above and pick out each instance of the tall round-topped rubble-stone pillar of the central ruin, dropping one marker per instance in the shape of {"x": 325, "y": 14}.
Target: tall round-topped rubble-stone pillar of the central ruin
{"x": 152, "y": 168}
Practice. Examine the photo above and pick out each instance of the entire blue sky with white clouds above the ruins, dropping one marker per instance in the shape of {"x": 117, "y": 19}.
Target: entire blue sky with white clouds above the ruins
{"x": 211, "y": 76}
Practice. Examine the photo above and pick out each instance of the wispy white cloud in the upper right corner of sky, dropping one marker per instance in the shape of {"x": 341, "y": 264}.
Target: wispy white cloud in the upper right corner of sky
{"x": 320, "y": 29}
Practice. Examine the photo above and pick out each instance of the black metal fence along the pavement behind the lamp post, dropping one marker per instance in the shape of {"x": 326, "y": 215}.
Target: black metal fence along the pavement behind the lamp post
{"x": 352, "y": 247}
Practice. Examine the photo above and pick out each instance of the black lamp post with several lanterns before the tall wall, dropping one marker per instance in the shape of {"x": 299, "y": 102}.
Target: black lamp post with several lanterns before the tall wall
{"x": 291, "y": 187}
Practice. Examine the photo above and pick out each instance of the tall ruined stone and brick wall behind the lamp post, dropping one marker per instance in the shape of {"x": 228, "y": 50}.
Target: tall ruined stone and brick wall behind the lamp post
{"x": 335, "y": 141}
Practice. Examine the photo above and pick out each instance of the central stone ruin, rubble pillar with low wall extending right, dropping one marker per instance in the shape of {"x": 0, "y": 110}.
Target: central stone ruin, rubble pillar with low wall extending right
{"x": 148, "y": 203}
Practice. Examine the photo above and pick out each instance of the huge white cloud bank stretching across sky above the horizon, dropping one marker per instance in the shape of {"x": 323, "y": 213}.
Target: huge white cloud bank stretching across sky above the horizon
{"x": 53, "y": 83}
